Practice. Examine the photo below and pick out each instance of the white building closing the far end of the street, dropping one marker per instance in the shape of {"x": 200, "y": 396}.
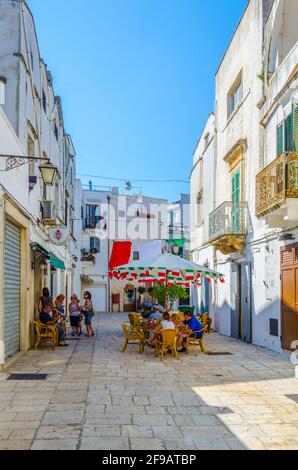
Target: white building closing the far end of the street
{"x": 109, "y": 217}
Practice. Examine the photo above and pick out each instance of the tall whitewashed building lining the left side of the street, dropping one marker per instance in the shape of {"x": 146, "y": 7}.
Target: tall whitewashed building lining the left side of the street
{"x": 32, "y": 119}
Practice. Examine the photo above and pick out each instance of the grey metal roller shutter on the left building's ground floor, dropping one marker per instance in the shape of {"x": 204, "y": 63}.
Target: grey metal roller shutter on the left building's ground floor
{"x": 12, "y": 284}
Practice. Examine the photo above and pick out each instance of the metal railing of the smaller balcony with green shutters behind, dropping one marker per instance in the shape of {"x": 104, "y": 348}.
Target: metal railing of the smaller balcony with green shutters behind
{"x": 231, "y": 218}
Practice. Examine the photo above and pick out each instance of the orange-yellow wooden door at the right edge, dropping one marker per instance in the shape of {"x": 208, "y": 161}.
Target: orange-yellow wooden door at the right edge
{"x": 289, "y": 295}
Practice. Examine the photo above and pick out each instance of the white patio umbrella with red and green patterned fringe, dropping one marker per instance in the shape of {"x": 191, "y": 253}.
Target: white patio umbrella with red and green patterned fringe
{"x": 166, "y": 268}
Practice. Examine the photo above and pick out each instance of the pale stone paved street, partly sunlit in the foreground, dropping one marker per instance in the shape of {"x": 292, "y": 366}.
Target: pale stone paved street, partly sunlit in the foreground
{"x": 97, "y": 398}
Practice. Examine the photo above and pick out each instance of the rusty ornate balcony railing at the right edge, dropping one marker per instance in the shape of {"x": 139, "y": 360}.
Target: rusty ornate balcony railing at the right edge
{"x": 277, "y": 182}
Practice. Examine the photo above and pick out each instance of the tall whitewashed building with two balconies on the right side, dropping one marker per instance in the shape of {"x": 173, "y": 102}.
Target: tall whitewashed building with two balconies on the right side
{"x": 252, "y": 223}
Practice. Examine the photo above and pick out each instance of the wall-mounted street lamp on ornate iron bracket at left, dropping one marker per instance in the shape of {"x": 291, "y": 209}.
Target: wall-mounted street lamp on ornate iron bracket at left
{"x": 48, "y": 171}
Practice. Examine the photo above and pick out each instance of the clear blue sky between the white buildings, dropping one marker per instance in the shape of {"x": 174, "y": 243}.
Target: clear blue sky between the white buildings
{"x": 137, "y": 81}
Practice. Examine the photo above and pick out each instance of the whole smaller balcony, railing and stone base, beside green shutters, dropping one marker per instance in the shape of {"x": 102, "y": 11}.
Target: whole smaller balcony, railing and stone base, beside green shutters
{"x": 228, "y": 226}
